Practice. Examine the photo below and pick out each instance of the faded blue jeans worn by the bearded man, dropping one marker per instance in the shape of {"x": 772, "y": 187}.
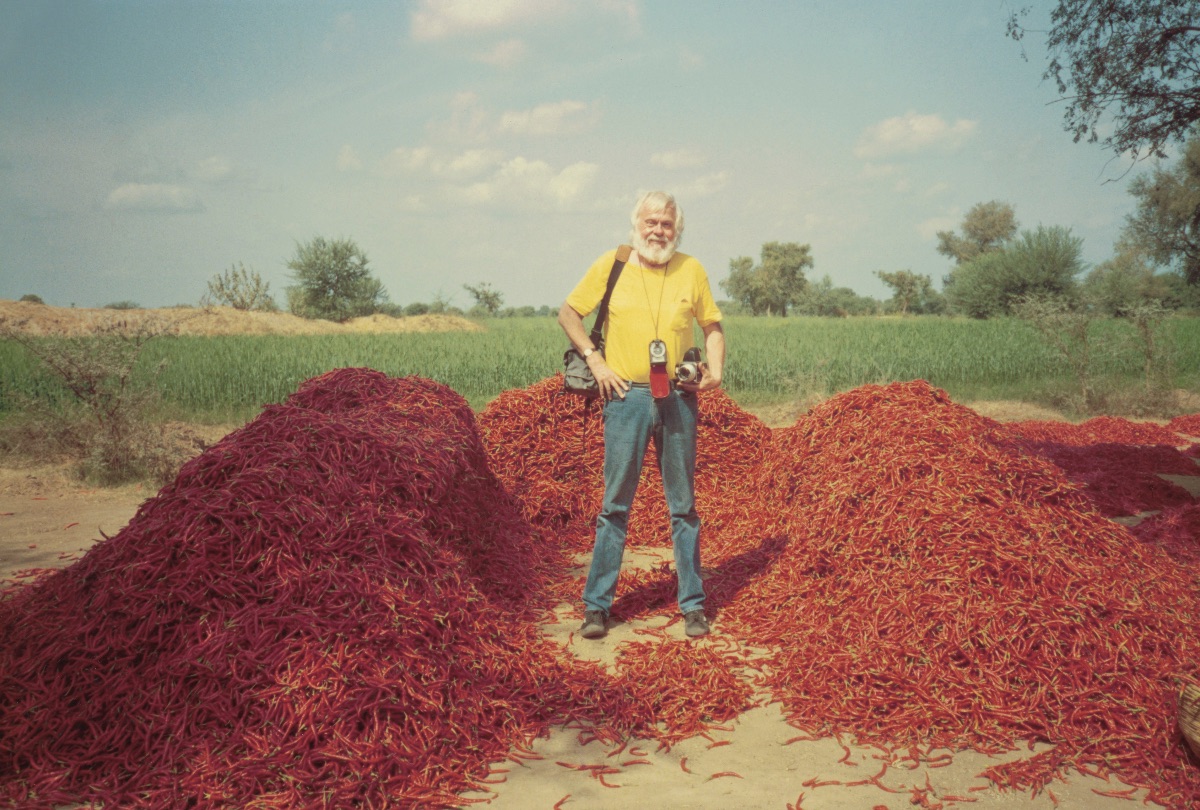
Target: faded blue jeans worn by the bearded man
{"x": 629, "y": 427}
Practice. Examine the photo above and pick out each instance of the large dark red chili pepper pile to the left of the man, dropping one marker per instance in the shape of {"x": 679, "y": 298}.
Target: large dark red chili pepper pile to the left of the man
{"x": 333, "y": 608}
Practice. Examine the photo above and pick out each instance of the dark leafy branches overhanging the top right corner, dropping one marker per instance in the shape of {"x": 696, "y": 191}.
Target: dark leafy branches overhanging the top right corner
{"x": 1135, "y": 59}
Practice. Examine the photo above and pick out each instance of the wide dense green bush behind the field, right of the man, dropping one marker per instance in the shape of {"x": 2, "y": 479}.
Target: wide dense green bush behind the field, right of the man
{"x": 1041, "y": 263}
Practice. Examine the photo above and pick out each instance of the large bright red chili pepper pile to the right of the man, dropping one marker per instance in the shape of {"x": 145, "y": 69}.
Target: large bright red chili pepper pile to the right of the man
{"x": 945, "y": 587}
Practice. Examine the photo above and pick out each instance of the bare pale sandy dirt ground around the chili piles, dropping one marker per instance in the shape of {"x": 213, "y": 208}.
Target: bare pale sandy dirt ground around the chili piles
{"x": 47, "y": 520}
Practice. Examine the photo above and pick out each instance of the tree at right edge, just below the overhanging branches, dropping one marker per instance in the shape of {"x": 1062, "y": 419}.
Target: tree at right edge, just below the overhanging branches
{"x": 1167, "y": 224}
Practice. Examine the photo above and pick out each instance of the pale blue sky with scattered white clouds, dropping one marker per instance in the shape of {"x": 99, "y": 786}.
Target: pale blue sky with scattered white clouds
{"x": 149, "y": 146}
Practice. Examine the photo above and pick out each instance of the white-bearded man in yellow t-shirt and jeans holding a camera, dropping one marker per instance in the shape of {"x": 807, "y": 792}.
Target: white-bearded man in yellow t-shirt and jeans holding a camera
{"x": 657, "y": 298}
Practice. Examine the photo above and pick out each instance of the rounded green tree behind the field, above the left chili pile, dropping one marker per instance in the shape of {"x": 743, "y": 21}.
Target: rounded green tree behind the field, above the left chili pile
{"x": 333, "y": 281}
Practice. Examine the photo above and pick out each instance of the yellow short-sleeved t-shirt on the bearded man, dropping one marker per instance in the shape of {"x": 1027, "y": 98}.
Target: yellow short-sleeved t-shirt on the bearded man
{"x": 646, "y": 304}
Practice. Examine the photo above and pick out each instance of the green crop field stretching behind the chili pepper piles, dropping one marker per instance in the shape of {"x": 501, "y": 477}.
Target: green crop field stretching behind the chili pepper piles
{"x": 771, "y": 361}
